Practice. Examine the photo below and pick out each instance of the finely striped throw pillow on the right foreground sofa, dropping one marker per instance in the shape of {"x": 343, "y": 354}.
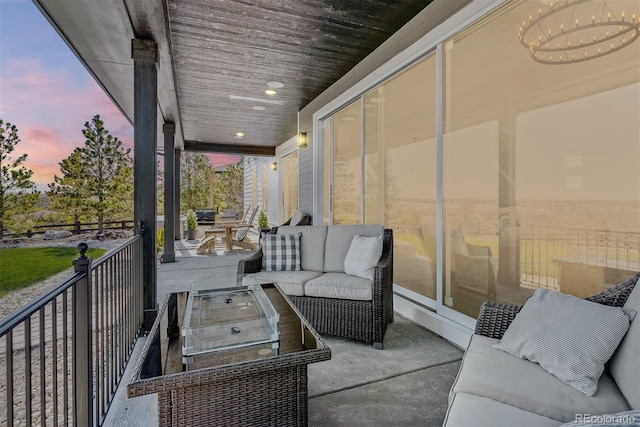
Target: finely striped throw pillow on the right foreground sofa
{"x": 568, "y": 337}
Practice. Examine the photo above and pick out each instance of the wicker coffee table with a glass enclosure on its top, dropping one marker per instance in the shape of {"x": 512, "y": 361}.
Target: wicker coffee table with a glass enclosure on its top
{"x": 229, "y": 381}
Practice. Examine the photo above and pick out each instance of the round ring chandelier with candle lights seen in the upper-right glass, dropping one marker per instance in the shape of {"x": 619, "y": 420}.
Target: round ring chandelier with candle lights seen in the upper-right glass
{"x": 564, "y": 32}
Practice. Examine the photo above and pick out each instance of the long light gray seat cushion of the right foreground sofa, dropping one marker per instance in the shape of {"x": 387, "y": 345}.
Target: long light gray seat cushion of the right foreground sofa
{"x": 497, "y": 375}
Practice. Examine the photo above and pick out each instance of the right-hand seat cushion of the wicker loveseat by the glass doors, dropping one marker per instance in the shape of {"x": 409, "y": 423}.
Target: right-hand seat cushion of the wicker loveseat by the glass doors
{"x": 339, "y": 285}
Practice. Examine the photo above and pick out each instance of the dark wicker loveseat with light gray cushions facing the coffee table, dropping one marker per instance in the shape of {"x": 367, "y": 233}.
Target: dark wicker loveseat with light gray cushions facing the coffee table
{"x": 334, "y": 302}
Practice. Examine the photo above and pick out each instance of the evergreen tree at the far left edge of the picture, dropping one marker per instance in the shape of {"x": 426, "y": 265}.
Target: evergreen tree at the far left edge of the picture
{"x": 17, "y": 192}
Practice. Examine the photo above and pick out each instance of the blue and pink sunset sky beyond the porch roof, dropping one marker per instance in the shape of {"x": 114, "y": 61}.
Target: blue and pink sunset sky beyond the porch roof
{"x": 47, "y": 93}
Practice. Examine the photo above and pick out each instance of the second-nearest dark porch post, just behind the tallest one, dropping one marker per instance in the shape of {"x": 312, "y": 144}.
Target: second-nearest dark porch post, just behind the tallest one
{"x": 169, "y": 130}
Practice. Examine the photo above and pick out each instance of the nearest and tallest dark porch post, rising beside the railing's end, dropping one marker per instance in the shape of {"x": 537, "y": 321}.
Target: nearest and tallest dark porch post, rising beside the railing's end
{"x": 145, "y": 92}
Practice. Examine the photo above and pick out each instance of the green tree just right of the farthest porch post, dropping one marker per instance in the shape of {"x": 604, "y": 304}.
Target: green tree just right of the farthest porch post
{"x": 195, "y": 170}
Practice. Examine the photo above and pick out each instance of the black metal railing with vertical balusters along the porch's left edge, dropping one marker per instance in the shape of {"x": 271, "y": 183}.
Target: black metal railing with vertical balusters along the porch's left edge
{"x": 63, "y": 355}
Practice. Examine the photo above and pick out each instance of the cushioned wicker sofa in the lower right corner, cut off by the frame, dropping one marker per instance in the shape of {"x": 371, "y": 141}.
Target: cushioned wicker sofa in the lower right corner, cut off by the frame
{"x": 494, "y": 388}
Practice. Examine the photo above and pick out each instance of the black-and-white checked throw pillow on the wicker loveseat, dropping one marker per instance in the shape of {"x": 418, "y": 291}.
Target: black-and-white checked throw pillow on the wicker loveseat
{"x": 281, "y": 252}
